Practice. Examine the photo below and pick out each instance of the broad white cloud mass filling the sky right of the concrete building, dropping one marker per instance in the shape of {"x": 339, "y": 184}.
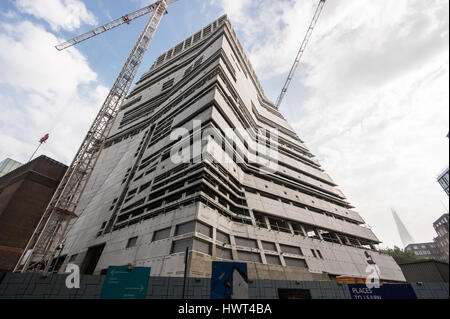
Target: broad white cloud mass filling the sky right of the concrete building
{"x": 370, "y": 97}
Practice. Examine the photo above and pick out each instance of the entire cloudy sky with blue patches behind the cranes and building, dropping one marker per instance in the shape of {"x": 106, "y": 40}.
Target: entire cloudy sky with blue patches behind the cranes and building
{"x": 370, "y": 97}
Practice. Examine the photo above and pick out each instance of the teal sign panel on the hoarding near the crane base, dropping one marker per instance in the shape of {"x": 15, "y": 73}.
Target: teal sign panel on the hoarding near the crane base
{"x": 124, "y": 283}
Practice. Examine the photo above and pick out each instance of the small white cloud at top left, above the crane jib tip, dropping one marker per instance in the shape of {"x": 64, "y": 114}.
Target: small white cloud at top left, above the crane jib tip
{"x": 59, "y": 14}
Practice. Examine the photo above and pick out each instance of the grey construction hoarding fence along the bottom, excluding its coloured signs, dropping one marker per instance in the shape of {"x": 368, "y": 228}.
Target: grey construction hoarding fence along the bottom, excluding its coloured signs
{"x": 33, "y": 286}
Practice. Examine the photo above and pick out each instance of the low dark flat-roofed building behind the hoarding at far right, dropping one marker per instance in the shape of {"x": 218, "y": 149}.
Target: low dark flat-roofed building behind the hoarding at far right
{"x": 425, "y": 271}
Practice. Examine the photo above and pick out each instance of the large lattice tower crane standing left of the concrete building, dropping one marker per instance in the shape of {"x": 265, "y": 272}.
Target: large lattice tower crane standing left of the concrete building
{"x": 48, "y": 236}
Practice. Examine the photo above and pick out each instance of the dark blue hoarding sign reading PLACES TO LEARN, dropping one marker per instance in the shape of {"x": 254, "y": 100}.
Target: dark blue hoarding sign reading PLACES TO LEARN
{"x": 386, "y": 291}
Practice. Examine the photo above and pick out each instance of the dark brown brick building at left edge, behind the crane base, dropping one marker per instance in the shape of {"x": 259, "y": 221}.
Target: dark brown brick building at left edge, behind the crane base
{"x": 24, "y": 195}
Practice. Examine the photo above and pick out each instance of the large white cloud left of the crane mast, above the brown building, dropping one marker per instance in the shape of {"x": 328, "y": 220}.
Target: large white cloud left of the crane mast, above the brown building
{"x": 43, "y": 90}
